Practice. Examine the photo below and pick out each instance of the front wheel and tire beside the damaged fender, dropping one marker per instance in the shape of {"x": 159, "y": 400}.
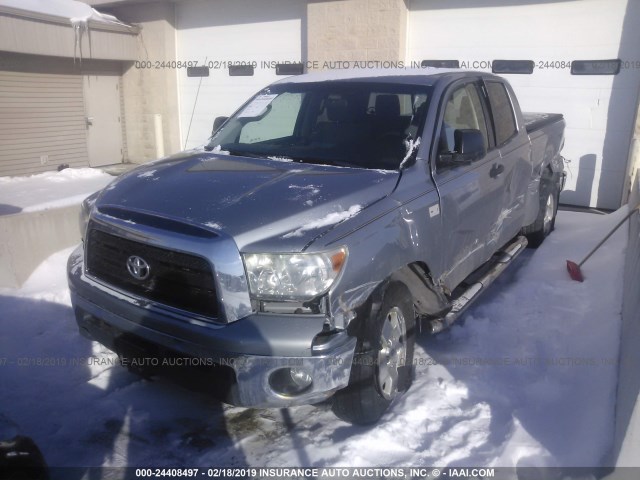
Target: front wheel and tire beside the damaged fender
{"x": 382, "y": 367}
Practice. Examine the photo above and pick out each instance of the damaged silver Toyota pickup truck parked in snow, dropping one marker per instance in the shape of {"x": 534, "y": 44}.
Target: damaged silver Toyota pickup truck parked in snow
{"x": 326, "y": 223}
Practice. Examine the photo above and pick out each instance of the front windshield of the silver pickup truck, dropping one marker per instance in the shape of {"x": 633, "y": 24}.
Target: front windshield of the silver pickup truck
{"x": 365, "y": 125}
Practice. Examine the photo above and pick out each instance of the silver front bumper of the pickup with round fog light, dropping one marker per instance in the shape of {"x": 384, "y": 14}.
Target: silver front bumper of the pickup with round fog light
{"x": 277, "y": 360}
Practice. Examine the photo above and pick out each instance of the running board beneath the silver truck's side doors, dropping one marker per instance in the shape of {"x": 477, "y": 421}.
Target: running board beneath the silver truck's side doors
{"x": 500, "y": 262}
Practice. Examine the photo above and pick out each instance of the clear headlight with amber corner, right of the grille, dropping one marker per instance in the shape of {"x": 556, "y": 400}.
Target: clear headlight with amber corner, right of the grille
{"x": 297, "y": 276}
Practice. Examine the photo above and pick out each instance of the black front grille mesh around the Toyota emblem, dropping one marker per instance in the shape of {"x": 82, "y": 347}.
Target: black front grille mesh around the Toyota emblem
{"x": 175, "y": 279}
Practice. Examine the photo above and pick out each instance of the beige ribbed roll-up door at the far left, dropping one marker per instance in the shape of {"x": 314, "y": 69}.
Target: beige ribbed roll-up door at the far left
{"x": 42, "y": 122}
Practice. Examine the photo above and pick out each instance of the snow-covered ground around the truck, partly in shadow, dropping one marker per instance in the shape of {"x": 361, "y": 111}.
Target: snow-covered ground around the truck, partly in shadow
{"x": 528, "y": 380}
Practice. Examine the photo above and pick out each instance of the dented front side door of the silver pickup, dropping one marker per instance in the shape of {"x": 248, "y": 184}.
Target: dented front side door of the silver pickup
{"x": 470, "y": 194}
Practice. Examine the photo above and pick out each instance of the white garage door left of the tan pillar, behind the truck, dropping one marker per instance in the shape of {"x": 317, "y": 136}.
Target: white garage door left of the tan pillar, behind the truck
{"x": 229, "y": 32}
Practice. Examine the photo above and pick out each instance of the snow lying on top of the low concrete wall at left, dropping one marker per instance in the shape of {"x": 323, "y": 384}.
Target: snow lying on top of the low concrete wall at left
{"x": 50, "y": 189}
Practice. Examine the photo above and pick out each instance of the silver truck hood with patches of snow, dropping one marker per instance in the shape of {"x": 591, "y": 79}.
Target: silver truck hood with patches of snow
{"x": 265, "y": 205}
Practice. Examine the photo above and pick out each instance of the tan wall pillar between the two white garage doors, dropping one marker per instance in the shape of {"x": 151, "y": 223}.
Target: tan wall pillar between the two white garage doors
{"x": 356, "y": 30}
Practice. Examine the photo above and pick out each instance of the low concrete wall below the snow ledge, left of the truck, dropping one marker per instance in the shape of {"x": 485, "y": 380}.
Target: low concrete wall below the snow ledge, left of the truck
{"x": 28, "y": 238}
